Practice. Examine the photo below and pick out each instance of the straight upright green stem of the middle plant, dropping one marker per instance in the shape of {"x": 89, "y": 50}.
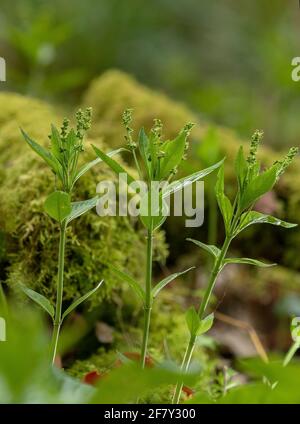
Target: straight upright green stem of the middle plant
{"x": 148, "y": 298}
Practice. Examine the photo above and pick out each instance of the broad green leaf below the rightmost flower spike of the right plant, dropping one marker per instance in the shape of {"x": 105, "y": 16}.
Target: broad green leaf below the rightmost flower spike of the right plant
{"x": 258, "y": 187}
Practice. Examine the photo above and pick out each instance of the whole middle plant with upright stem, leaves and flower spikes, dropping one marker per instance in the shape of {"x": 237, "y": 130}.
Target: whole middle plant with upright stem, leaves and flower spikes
{"x": 156, "y": 162}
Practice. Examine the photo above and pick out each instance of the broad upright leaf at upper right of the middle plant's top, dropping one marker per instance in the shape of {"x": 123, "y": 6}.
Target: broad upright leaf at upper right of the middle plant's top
{"x": 174, "y": 150}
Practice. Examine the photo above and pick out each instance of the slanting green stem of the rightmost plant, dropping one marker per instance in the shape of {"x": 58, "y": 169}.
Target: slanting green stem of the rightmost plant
{"x": 218, "y": 264}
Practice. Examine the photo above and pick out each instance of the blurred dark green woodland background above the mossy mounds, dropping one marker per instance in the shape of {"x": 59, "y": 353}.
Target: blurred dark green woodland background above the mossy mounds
{"x": 229, "y": 60}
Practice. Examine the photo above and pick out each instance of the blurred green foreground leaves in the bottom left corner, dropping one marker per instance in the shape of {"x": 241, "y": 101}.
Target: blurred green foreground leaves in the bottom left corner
{"x": 27, "y": 377}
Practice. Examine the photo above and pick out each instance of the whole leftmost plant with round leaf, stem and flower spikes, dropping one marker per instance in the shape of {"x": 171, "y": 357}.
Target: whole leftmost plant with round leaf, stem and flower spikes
{"x": 62, "y": 157}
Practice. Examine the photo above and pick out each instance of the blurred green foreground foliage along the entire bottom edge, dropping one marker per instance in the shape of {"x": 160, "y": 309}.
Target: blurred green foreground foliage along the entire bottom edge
{"x": 28, "y": 378}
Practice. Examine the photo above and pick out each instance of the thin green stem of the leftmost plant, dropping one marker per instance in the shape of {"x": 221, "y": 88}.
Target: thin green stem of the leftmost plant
{"x": 59, "y": 293}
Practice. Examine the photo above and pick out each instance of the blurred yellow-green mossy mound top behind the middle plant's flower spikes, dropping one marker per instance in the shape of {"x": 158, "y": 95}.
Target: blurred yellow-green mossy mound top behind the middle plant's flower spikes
{"x": 113, "y": 92}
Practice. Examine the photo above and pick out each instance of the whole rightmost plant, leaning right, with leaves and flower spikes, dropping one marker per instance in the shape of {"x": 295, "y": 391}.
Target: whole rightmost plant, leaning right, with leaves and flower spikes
{"x": 237, "y": 216}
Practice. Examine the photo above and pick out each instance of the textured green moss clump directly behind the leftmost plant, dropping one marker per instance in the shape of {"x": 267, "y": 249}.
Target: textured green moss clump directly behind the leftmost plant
{"x": 92, "y": 242}
